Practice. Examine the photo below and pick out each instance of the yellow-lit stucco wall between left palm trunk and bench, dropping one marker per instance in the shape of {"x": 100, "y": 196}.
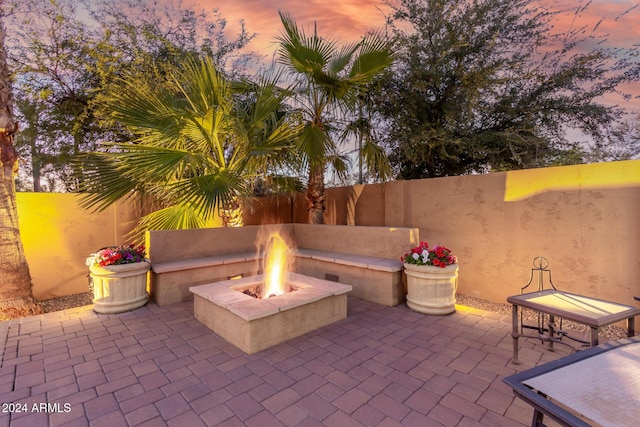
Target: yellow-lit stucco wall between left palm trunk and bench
{"x": 58, "y": 236}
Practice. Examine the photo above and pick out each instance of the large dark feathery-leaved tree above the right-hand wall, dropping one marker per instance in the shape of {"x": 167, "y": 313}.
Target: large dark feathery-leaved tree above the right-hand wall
{"x": 487, "y": 85}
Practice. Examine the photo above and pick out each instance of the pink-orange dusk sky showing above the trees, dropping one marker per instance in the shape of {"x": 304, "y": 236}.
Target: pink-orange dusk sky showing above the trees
{"x": 347, "y": 20}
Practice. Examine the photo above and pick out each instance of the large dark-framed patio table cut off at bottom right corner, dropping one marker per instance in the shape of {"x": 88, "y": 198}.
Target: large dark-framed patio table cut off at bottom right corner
{"x": 597, "y": 386}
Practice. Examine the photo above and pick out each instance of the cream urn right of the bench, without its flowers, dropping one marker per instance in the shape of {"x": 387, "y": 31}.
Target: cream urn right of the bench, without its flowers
{"x": 431, "y": 290}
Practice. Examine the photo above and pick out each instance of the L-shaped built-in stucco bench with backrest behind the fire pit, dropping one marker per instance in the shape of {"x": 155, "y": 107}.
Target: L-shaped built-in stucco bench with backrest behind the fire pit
{"x": 367, "y": 258}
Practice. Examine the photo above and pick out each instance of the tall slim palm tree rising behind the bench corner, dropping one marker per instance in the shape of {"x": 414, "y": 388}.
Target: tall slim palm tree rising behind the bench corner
{"x": 329, "y": 80}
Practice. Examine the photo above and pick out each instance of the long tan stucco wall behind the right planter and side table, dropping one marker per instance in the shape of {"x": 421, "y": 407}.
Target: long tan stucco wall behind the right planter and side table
{"x": 584, "y": 219}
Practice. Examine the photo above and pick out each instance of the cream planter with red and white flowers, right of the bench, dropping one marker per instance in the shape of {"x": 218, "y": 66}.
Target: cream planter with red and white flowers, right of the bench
{"x": 432, "y": 279}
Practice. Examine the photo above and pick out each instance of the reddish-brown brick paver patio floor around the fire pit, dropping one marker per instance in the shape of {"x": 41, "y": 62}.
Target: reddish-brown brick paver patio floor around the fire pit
{"x": 159, "y": 366}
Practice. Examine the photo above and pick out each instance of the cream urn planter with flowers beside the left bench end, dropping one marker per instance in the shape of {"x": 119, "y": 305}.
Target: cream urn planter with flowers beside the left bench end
{"x": 118, "y": 278}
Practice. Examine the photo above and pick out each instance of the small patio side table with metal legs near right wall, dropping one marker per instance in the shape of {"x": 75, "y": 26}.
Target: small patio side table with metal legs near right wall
{"x": 595, "y": 313}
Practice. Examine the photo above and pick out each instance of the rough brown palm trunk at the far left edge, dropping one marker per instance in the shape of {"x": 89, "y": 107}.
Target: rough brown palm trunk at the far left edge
{"x": 15, "y": 280}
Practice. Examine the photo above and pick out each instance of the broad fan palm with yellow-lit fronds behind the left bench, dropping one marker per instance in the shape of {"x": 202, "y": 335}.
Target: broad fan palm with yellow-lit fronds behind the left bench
{"x": 199, "y": 144}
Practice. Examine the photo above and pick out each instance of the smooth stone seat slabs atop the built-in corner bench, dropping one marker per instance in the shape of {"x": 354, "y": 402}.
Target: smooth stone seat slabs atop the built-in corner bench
{"x": 361, "y": 261}
